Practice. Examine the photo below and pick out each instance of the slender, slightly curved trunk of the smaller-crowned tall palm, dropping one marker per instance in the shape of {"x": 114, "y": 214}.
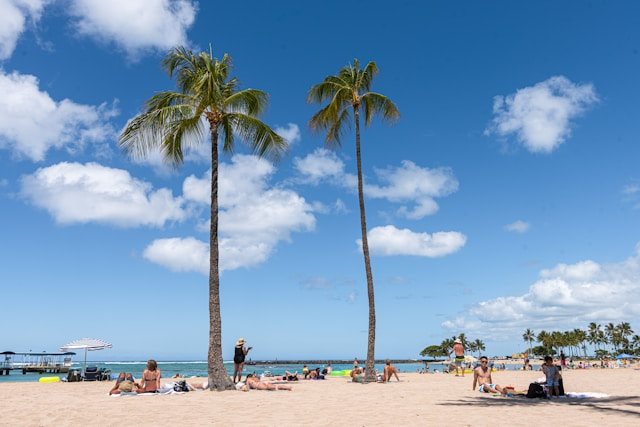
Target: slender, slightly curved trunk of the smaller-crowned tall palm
{"x": 370, "y": 371}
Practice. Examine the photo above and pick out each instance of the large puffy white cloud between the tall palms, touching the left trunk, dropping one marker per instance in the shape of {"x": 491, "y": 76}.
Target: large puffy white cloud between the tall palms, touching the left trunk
{"x": 253, "y": 218}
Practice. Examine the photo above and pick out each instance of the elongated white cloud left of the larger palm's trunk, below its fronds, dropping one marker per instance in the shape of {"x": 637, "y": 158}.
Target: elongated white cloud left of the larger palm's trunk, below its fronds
{"x": 84, "y": 193}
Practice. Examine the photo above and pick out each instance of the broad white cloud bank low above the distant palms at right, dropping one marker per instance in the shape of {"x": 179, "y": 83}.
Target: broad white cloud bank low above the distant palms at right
{"x": 565, "y": 297}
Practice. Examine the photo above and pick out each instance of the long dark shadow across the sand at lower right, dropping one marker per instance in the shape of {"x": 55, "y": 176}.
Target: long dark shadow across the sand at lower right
{"x": 623, "y": 405}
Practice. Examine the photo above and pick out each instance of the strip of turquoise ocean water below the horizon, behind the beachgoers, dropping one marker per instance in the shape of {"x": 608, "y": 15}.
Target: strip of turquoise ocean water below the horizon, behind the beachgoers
{"x": 189, "y": 369}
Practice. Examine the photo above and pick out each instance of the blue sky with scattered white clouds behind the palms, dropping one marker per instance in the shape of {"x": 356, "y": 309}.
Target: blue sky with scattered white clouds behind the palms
{"x": 507, "y": 197}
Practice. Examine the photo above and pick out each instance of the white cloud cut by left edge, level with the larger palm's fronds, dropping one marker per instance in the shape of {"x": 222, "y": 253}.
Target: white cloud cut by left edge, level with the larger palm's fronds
{"x": 31, "y": 123}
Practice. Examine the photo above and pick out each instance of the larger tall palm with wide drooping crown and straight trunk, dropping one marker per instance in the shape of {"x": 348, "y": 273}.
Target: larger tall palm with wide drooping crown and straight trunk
{"x": 174, "y": 121}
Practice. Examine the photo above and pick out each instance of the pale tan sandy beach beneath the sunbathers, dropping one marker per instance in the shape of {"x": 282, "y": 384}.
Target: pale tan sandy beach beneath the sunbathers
{"x": 418, "y": 399}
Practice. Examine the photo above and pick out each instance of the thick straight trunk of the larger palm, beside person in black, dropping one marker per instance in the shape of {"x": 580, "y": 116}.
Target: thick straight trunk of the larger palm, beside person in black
{"x": 218, "y": 377}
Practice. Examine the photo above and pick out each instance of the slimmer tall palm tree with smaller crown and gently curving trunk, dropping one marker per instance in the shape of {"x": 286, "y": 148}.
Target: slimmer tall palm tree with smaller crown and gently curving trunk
{"x": 348, "y": 93}
